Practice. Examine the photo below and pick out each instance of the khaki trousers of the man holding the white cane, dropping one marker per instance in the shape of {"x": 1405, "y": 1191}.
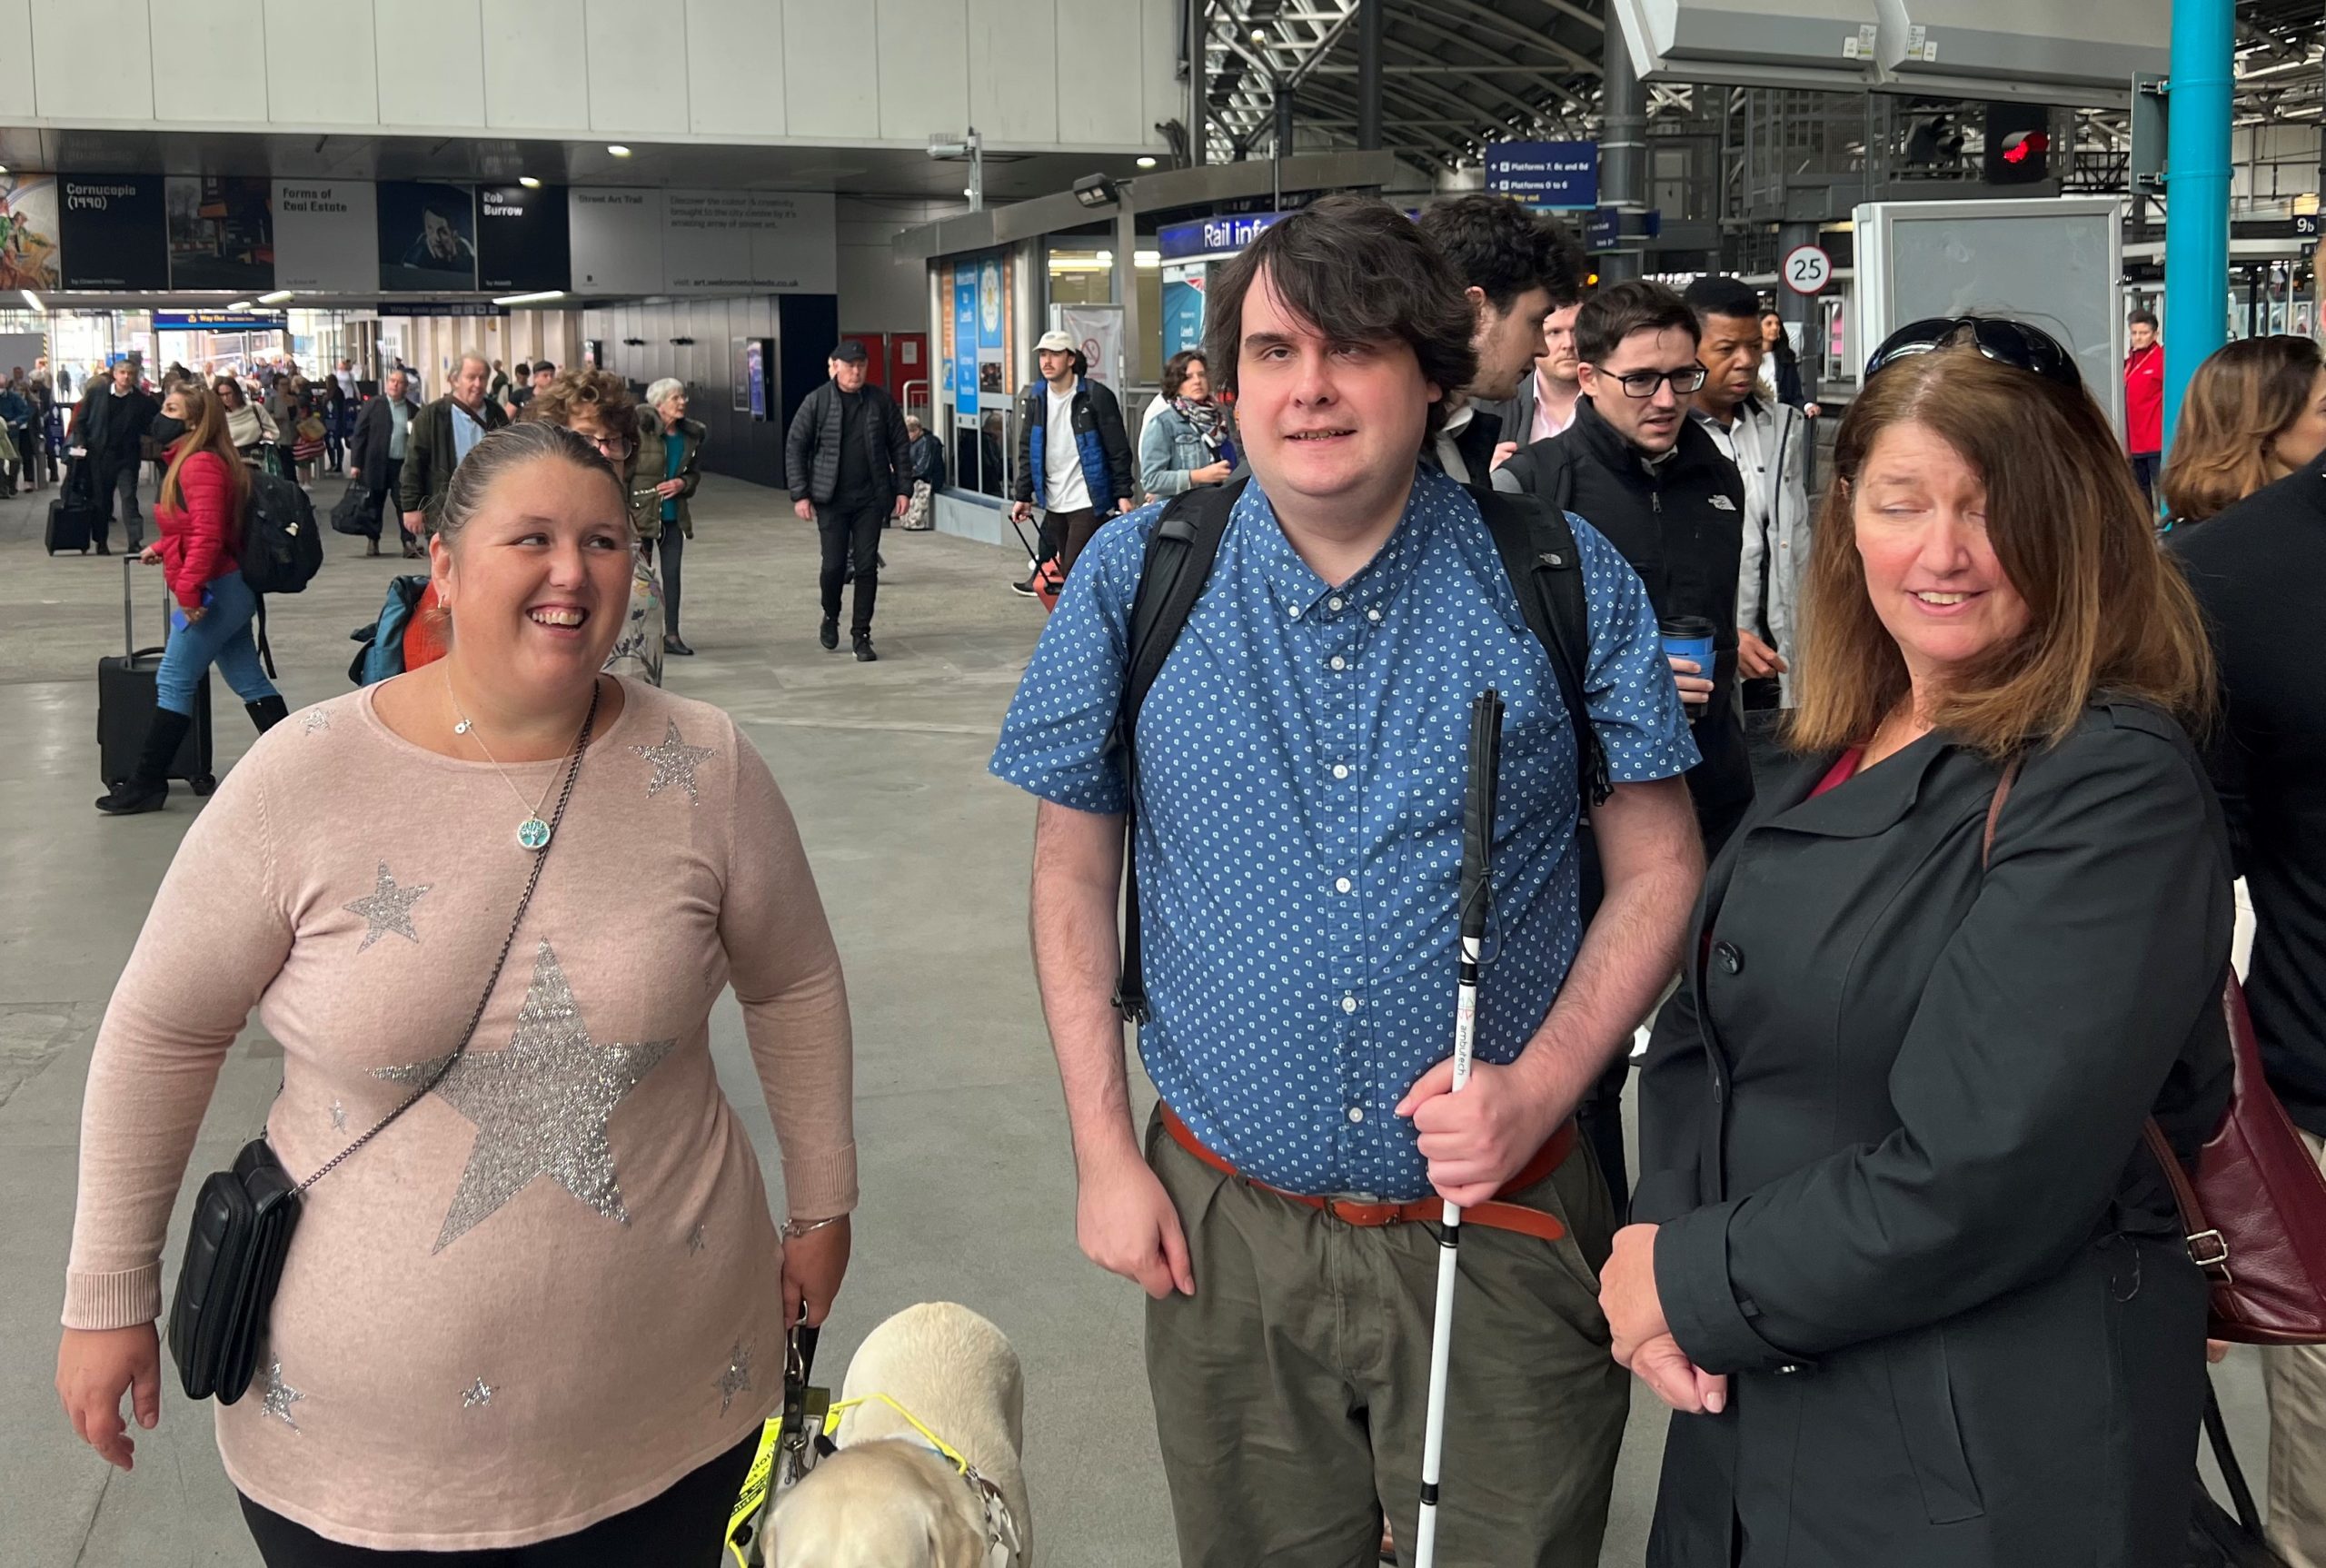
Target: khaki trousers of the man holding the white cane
{"x": 1294, "y": 1383}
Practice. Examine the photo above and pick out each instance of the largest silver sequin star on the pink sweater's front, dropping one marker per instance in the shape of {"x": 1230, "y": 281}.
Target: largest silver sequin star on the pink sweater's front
{"x": 541, "y": 1106}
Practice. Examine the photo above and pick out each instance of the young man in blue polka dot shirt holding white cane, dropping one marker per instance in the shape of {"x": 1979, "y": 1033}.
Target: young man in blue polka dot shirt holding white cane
{"x": 1301, "y": 767}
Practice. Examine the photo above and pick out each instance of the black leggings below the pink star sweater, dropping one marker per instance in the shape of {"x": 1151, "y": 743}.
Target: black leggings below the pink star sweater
{"x": 676, "y": 1530}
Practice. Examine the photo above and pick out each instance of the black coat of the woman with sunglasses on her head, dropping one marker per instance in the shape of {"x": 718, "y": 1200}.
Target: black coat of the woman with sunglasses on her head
{"x": 1892, "y": 1136}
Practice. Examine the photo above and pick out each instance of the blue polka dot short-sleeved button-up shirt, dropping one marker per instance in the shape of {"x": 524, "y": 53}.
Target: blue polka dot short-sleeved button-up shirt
{"x": 1304, "y": 762}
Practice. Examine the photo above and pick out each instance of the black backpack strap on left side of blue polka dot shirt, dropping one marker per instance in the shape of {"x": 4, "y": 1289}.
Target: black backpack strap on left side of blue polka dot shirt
{"x": 1178, "y": 566}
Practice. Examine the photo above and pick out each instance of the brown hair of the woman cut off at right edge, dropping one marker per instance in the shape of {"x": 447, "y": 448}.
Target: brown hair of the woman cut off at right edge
{"x": 2236, "y": 408}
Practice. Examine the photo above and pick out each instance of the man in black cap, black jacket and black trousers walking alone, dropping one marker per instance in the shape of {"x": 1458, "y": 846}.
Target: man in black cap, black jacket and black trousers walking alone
{"x": 850, "y": 471}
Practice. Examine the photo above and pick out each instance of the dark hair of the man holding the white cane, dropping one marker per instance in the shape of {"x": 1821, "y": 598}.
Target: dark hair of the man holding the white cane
{"x": 1357, "y": 271}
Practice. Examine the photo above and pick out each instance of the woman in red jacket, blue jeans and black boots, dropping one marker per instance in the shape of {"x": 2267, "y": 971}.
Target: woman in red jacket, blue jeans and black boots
{"x": 201, "y": 534}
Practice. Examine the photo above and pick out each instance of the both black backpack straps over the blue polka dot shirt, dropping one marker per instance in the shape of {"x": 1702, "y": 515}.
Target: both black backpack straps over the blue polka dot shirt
{"x": 1546, "y": 571}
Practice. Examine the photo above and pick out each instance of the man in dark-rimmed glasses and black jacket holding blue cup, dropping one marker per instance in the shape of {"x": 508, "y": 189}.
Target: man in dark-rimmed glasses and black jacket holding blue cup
{"x": 1655, "y": 483}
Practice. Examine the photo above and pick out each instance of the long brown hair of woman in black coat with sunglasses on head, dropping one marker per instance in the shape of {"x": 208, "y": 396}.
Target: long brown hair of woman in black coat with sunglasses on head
{"x": 2109, "y": 611}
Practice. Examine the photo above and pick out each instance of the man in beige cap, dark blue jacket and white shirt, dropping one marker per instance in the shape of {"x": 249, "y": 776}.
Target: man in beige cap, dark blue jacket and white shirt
{"x": 1073, "y": 455}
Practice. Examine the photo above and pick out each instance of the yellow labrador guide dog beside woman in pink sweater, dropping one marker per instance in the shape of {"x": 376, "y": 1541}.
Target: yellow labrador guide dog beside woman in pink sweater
{"x": 887, "y": 1499}
